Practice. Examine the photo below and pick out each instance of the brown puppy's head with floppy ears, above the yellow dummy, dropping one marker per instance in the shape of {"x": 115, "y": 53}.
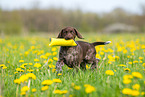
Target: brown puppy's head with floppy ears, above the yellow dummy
{"x": 69, "y": 33}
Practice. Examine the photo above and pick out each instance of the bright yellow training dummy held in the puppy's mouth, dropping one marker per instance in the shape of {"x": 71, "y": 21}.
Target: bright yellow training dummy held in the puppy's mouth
{"x": 61, "y": 42}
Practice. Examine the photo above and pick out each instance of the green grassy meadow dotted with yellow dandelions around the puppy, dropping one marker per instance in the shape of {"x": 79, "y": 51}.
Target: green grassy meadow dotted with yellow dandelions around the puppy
{"x": 27, "y": 68}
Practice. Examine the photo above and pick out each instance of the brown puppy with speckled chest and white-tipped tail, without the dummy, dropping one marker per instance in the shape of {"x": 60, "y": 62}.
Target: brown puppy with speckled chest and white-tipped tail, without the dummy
{"x": 77, "y": 56}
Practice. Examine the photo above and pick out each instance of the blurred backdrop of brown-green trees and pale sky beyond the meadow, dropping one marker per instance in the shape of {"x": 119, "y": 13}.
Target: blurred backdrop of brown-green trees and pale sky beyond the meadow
{"x": 49, "y": 16}
